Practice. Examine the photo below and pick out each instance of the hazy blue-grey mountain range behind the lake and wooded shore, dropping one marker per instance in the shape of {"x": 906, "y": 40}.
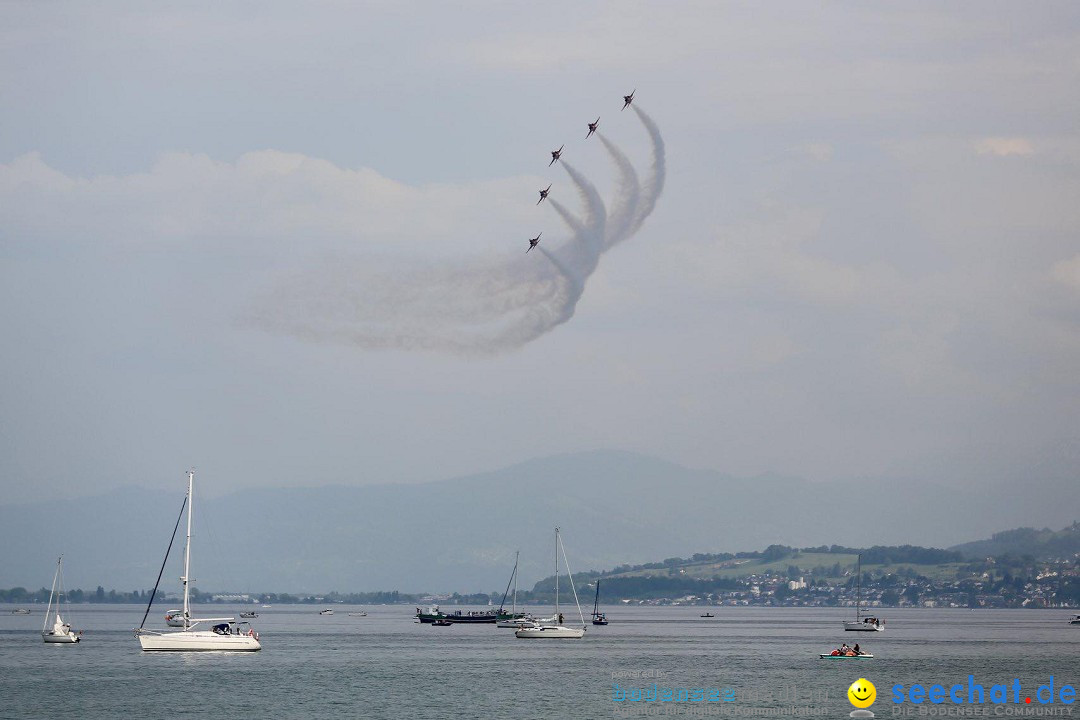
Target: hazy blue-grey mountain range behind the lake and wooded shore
{"x": 461, "y": 535}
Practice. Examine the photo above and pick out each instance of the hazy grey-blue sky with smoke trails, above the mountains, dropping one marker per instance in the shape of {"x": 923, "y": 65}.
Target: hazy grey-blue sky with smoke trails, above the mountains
{"x": 283, "y": 243}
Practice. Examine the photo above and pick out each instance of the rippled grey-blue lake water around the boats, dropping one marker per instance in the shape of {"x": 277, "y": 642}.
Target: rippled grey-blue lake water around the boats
{"x": 388, "y": 667}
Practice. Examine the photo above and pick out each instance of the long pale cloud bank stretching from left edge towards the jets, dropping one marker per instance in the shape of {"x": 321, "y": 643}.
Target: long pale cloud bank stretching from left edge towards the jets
{"x": 290, "y": 200}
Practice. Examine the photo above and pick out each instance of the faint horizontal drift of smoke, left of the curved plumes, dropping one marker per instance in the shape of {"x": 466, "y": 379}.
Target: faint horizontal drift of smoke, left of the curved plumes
{"x": 468, "y": 309}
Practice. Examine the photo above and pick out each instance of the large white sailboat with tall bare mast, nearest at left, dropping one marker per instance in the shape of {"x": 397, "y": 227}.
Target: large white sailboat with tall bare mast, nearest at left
{"x": 225, "y": 633}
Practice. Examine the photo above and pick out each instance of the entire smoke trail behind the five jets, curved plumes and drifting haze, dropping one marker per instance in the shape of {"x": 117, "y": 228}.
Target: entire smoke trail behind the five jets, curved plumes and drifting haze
{"x": 467, "y": 307}
